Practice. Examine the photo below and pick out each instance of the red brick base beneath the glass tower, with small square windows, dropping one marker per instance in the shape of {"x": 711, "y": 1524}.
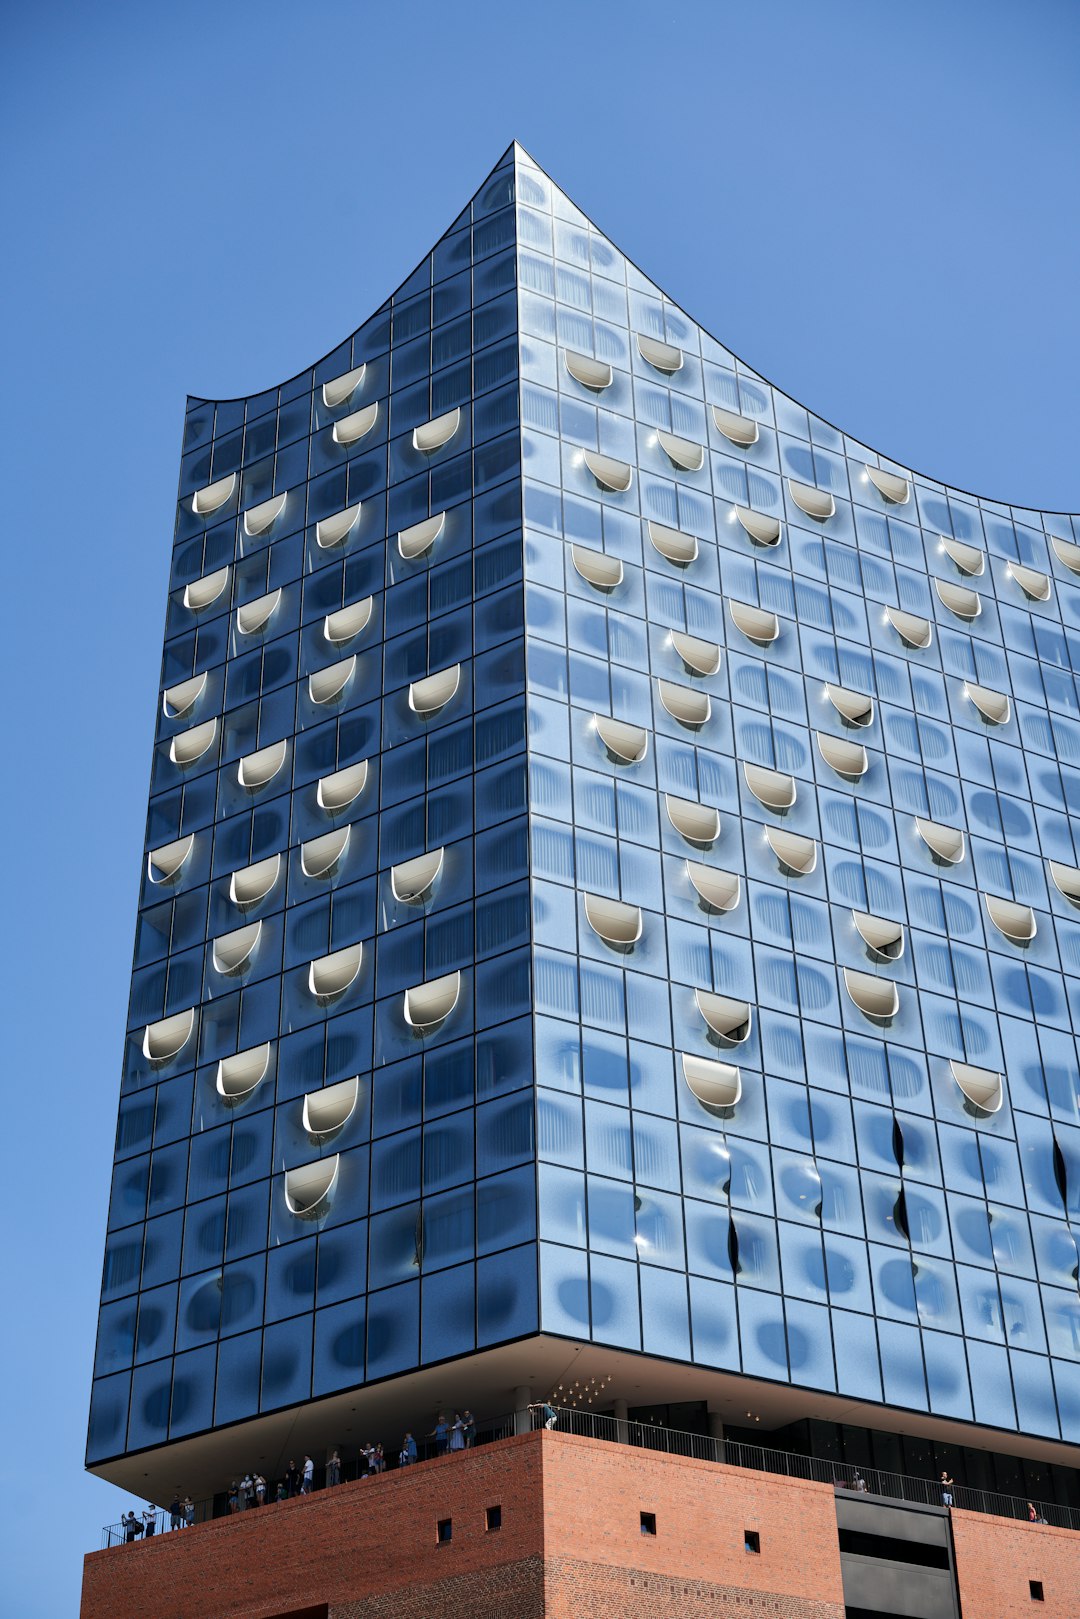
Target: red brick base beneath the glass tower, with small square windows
{"x": 589, "y": 1529}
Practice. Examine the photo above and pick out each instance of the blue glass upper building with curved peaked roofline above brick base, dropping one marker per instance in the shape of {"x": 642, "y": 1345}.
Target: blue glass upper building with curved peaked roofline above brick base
{"x": 611, "y": 901}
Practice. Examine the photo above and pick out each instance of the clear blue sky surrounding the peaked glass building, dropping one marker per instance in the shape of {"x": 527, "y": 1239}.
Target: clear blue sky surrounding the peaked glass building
{"x": 874, "y": 205}
